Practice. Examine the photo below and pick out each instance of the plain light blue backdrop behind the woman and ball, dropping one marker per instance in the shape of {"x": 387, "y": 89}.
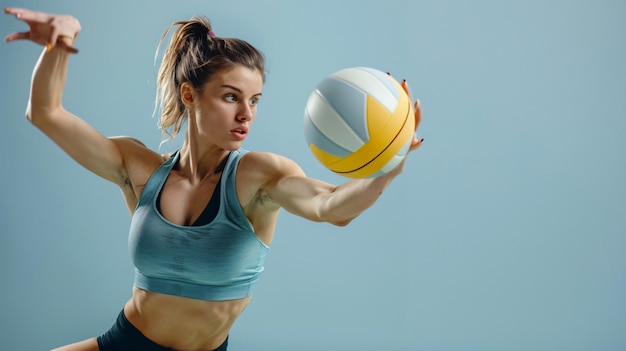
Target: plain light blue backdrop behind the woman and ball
{"x": 507, "y": 230}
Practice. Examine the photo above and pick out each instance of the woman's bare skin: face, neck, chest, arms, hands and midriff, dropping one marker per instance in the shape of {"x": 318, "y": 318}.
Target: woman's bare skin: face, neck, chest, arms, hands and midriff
{"x": 220, "y": 116}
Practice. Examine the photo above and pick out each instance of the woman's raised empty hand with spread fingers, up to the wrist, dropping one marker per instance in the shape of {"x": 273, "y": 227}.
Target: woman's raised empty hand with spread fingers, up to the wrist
{"x": 46, "y": 29}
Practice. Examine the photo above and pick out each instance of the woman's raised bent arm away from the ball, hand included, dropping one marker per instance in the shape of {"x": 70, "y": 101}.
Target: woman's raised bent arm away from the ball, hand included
{"x": 77, "y": 138}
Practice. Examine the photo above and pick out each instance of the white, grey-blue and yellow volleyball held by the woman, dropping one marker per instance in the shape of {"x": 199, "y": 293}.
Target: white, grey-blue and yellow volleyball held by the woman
{"x": 359, "y": 122}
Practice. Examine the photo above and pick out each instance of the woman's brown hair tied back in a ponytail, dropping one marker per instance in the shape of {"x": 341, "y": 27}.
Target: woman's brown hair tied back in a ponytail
{"x": 194, "y": 55}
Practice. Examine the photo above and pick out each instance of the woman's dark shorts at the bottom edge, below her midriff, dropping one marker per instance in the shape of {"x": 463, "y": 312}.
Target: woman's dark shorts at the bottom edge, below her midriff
{"x": 123, "y": 336}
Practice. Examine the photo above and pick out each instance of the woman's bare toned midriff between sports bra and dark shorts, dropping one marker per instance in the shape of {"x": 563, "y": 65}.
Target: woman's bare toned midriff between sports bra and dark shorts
{"x": 181, "y": 323}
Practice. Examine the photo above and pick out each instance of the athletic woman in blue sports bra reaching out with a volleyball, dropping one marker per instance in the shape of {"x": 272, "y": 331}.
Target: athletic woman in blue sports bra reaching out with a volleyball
{"x": 210, "y": 204}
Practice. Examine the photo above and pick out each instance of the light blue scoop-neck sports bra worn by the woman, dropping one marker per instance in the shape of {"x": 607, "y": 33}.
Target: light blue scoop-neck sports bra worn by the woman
{"x": 221, "y": 260}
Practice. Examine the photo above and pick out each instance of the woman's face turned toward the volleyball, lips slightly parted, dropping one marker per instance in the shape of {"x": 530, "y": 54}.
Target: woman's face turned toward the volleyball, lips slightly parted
{"x": 227, "y": 106}
